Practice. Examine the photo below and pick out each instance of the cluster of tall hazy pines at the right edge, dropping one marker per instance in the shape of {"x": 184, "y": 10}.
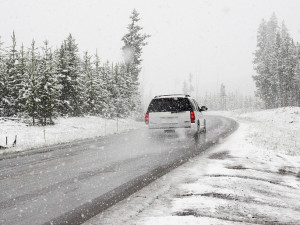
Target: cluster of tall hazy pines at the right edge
{"x": 277, "y": 64}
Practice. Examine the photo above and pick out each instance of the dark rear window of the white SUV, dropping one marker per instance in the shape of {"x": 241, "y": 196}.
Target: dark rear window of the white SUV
{"x": 169, "y": 105}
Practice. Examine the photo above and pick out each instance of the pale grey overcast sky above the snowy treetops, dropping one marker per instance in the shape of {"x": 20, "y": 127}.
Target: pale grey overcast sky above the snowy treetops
{"x": 214, "y": 40}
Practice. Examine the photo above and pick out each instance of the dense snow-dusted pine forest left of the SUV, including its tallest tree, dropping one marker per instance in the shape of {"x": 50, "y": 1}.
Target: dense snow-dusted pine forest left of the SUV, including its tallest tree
{"x": 42, "y": 83}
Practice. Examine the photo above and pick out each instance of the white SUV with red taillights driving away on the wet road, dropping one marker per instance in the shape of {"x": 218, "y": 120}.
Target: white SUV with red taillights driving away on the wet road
{"x": 171, "y": 112}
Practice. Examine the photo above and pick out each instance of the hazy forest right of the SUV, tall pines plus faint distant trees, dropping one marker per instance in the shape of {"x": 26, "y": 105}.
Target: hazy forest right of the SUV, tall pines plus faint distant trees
{"x": 277, "y": 79}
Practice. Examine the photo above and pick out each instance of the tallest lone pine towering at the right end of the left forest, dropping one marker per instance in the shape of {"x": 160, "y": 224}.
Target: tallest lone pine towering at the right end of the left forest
{"x": 134, "y": 42}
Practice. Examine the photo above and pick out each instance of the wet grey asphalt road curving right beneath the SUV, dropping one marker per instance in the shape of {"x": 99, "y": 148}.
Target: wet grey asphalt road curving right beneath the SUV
{"x": 68, "y": 184}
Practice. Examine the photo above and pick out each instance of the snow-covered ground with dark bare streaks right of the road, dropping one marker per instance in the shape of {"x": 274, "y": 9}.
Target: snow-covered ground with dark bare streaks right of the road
{"x": 253, "y": 177}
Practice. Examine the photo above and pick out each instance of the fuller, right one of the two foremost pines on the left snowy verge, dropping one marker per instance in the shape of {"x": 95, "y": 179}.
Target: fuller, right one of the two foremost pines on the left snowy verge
{"x": 48, "y": 89}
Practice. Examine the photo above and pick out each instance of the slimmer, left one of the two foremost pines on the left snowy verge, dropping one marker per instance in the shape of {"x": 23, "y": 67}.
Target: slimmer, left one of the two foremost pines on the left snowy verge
{"x": 31, "y": 95}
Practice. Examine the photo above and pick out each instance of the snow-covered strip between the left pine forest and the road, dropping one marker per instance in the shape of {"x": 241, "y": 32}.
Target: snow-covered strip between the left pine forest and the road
{"x": 65, "y": 130}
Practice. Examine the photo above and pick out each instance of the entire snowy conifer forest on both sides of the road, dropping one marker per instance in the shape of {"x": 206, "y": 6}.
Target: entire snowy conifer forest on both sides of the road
{"x": 41, "y": 83}
